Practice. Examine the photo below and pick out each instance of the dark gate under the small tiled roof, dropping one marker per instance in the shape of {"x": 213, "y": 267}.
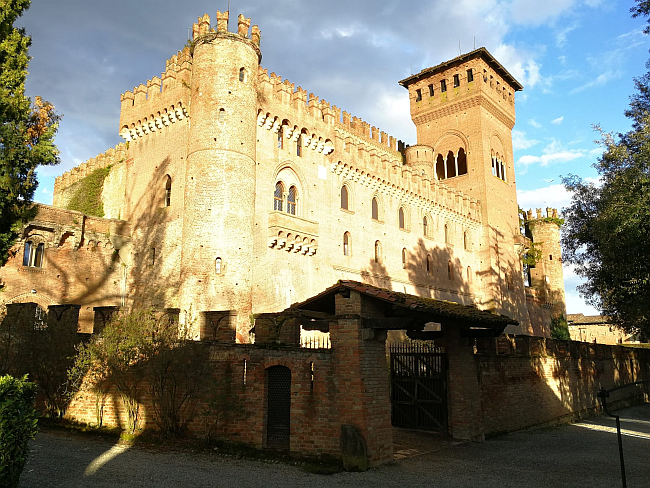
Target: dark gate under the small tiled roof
{"x": 418, "y": 395}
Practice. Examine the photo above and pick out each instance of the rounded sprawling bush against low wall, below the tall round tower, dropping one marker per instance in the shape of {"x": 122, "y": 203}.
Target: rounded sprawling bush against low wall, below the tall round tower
{"x": 144, "y": 352}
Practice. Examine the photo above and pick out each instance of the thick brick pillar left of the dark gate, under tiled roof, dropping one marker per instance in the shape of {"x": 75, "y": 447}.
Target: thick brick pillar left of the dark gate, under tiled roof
{"x": 361, "y": 378}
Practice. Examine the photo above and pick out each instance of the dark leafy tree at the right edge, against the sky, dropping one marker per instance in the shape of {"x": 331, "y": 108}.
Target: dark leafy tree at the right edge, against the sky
{"x": 607, "y": 224}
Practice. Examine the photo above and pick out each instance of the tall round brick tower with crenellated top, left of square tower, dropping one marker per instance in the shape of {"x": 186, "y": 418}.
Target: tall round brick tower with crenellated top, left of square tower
{"x": 217, "y": 241}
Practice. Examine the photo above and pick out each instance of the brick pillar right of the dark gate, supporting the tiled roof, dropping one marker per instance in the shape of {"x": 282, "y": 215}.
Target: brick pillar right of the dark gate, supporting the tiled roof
{"x": 465, "y": 417}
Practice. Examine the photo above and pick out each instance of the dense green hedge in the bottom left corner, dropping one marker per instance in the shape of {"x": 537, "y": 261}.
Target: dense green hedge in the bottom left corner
{"x": 17, "y": 426}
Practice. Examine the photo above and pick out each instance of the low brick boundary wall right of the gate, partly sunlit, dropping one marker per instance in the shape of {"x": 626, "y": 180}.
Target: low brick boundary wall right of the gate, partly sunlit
{"x": 525, "y": 381}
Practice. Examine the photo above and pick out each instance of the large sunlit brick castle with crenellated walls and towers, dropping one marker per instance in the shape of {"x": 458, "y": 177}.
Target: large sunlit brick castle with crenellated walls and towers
{"x": 236, "y": 193}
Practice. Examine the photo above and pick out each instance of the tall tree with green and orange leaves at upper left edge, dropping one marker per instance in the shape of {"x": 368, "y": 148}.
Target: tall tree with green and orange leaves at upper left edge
{"x": 27, "y": 128}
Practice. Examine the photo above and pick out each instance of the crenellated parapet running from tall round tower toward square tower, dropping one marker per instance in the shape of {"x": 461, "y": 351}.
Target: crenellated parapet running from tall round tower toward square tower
{"x": 297, "y": 100}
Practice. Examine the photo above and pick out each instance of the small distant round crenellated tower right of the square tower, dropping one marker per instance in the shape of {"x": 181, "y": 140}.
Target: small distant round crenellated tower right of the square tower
{"x": 547, "y": 275}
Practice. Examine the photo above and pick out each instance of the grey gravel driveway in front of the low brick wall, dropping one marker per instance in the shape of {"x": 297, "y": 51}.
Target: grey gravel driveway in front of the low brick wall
{"x": 583, "y": 454}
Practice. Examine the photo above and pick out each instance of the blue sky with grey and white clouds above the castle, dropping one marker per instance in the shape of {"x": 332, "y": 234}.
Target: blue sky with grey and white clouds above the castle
{"x": 576, "y": 60}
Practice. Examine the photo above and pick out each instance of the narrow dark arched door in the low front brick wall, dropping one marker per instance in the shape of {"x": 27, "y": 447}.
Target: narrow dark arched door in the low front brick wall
{"x": 278, "y": 407}
